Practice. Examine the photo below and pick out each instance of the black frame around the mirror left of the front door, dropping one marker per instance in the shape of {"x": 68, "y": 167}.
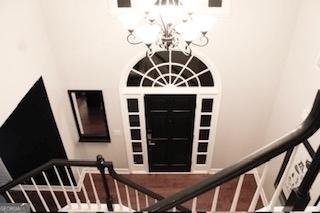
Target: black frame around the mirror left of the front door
{"x": 85, "y": 137}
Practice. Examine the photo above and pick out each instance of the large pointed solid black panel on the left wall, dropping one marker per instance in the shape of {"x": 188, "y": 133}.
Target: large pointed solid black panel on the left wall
{"x": 29, "y": 137}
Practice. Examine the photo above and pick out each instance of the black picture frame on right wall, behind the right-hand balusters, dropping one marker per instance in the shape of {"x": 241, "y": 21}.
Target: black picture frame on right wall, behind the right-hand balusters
{"x": 284, "y": 164}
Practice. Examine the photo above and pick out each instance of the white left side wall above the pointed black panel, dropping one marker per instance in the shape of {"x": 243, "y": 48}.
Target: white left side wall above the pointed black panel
{"x": 25, "y": 55}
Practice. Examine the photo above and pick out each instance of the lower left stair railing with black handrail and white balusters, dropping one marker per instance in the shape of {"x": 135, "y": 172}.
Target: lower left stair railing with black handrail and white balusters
{"x": 66, "y": 195}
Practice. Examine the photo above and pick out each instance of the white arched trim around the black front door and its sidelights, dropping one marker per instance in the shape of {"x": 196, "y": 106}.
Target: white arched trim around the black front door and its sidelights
{"x": 139, "y": 92}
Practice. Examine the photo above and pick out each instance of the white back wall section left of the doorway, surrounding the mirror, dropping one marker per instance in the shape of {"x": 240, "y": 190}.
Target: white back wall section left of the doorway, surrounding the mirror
{"x": 86, "y": 42}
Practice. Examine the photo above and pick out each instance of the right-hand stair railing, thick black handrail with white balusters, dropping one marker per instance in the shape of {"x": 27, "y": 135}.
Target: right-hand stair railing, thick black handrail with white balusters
{"x": 299, "y": 198}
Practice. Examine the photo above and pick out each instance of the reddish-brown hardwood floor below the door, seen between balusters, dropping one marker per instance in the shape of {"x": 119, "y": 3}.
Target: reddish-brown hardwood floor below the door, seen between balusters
{"x": 163, "y": 184}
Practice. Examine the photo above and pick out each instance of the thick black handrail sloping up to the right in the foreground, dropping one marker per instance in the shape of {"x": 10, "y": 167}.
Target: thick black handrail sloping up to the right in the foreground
{"x": 299, "y": 135}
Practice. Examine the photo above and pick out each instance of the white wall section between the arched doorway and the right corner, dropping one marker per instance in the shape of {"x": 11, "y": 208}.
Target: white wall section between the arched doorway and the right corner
{"x": 249, "y": 48}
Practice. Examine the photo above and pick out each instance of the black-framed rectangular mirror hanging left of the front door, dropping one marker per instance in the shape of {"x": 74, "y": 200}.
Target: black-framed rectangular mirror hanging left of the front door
{"x": 89, "y": 114}
